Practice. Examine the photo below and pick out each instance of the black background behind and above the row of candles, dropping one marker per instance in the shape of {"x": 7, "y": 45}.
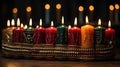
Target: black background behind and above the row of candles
{"x": 69, "y": 10}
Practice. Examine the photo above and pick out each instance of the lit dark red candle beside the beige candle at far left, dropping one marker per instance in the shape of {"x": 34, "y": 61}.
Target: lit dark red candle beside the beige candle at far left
{"x": 18, "y": 33}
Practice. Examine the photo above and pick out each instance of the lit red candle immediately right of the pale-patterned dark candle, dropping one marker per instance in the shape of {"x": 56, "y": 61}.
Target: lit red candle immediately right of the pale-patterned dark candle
{"x": 39, "y": 34}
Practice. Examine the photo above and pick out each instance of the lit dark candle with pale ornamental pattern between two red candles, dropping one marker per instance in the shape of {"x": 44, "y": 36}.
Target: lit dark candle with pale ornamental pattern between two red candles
{"x": 29, "y": 33}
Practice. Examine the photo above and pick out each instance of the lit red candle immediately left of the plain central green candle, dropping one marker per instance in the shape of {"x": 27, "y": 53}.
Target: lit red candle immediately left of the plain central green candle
{"x": 51, "y": 35}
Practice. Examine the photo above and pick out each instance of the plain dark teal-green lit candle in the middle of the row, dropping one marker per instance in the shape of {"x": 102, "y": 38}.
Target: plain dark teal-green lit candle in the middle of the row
{"x": 62, "y": 34}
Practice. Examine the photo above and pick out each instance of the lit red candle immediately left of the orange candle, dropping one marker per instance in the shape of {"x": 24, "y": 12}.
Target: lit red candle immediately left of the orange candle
{"x": 74, "y": 35}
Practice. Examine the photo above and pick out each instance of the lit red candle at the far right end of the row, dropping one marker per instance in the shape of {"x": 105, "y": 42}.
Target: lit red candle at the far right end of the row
{"x": 109, "y": 34}
